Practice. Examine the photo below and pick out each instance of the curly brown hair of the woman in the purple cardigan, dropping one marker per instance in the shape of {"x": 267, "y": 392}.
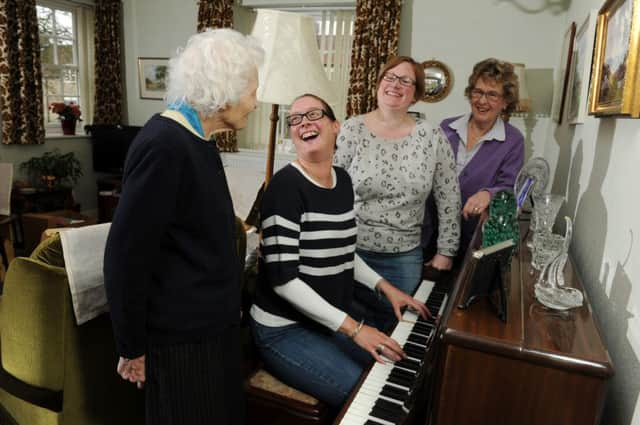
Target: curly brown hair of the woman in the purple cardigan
{"x": 502, "y": 73}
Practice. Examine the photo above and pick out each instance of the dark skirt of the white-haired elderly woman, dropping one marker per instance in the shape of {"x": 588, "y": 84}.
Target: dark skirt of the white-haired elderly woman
{"x": 196, "y": 383}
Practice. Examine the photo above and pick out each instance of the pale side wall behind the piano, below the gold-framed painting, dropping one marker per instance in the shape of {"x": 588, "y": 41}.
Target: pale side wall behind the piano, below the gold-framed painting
{"x": 595, "y": 165}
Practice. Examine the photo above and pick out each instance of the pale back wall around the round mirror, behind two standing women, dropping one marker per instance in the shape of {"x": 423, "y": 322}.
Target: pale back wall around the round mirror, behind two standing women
{"x": 461, "y": 33}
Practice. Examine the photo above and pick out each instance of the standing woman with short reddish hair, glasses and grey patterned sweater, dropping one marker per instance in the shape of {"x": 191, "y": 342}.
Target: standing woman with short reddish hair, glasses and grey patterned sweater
{"x": 395, "y": 162}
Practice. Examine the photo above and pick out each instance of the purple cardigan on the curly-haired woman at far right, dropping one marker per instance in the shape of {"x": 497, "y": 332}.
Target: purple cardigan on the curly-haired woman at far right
{"x": 494, "y": 167}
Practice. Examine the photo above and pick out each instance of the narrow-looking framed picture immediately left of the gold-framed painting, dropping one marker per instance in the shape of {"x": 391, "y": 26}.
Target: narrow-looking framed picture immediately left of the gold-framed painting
{"x": 581, "y": 70}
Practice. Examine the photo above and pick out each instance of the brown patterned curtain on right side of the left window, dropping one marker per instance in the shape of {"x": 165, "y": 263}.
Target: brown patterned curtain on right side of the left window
{"x": 108, "y": 69}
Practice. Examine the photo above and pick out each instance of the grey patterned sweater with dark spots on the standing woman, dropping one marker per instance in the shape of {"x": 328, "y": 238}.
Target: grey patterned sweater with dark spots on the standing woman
{"x": 391, "y": 181}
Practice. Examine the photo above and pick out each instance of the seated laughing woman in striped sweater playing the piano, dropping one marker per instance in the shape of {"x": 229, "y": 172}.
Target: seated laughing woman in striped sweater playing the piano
{"x": 300, "y": 321}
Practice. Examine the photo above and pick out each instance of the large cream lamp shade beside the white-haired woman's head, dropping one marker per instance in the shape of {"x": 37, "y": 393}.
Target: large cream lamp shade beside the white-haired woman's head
{"x": 292, "y": 63}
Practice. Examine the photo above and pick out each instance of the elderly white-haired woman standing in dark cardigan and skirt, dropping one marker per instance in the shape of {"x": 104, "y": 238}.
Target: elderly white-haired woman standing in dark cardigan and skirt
{"x": 171, "y": 270}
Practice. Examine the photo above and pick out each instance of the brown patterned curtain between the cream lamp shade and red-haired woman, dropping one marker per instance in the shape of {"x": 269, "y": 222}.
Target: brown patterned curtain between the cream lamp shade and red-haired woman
{"x": 375, "y": 41}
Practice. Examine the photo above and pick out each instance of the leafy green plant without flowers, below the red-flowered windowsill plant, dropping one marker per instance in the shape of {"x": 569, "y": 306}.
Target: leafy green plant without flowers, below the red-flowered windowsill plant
{"x": 53, "y": 169}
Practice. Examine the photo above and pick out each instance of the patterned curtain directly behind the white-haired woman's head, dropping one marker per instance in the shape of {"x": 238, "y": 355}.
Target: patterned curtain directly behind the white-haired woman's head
{"x": 218, "y": 14}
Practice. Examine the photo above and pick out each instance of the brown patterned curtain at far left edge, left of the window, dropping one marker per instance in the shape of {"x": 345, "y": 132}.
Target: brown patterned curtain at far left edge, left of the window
{"x": 20, "y": 74}
